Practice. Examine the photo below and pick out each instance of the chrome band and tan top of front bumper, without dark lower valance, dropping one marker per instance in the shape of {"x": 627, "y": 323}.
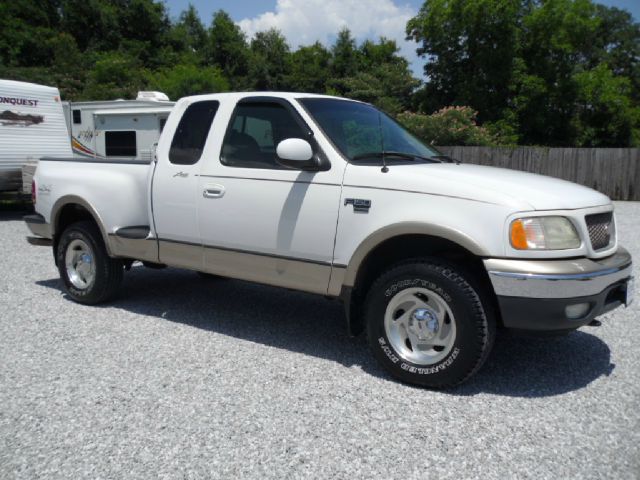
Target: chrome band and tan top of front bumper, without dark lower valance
{"x": 557, "y": 278}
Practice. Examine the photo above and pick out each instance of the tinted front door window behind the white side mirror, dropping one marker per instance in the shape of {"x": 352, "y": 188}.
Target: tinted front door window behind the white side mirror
{"x": 254, "y": 133}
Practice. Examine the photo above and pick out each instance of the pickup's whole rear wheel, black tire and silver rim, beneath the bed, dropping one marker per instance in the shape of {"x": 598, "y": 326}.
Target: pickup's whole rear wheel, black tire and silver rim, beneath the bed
{"x": 89, "y": 275}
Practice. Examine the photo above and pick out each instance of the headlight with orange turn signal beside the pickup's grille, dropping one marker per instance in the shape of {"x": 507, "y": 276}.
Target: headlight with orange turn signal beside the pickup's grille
{"x": 543, "y": 233}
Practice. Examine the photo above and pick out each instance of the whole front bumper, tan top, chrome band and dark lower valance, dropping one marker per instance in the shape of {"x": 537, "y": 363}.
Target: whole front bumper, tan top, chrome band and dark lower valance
{"x": 535, "y": 294}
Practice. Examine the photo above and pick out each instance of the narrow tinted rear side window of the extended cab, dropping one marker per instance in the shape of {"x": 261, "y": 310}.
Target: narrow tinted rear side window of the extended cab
{"x": 191, "y": 134}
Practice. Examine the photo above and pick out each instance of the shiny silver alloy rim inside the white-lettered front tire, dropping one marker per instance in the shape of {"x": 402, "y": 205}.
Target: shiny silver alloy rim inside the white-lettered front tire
{"x": 420, "y": 326}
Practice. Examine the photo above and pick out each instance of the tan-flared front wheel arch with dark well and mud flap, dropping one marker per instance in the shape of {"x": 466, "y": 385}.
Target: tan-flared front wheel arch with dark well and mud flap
{"x": 399, "y": 242}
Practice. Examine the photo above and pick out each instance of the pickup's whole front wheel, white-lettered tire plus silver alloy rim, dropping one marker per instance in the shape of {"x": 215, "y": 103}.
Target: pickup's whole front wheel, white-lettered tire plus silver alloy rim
{"x": 427, "y": 325}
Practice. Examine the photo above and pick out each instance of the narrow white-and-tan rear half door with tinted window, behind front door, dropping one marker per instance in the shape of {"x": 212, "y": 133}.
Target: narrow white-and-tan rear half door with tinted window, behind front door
{"x": 175, "y": 190}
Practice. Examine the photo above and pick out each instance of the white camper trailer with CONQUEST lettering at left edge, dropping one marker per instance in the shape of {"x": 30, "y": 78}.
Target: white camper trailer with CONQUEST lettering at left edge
{"x": 32, "y": 125}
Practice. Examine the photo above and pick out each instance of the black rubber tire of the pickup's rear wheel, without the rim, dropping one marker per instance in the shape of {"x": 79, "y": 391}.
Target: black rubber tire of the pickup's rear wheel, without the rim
{"x": 108, "y": 271}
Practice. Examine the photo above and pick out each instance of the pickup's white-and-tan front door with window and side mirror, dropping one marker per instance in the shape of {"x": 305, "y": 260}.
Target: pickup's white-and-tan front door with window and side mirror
{"x": 261, "y": 221}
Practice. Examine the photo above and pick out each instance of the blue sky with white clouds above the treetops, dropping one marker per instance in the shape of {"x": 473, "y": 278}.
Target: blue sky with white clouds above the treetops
{"x": 300, "y": 22}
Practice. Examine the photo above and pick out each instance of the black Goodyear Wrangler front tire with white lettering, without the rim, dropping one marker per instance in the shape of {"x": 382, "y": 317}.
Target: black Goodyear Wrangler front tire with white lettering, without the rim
{"x": 475, "y": 323}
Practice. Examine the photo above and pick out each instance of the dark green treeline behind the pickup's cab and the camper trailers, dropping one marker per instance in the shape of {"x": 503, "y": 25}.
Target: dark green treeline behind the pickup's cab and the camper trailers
{"x": 105, "y": 49}
